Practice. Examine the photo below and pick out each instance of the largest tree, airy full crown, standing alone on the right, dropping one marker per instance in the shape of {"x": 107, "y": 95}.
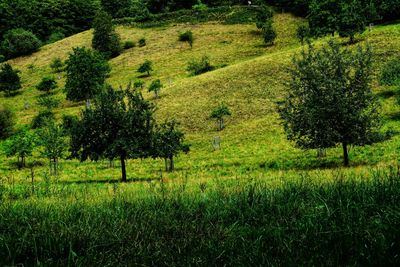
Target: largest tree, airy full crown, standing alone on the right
{"x": 329, "y": 99}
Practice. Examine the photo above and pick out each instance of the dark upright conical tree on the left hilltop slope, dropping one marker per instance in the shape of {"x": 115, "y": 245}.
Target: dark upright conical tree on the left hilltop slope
{"x": 105, "y": 39}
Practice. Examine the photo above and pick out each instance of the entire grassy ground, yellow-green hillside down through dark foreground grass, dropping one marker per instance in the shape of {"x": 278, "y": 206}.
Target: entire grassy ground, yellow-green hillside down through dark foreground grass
{"x": 250, "y": 78}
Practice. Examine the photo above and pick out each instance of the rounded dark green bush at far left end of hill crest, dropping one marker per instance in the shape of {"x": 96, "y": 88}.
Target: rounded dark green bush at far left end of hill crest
{"x": 19, "y": 42}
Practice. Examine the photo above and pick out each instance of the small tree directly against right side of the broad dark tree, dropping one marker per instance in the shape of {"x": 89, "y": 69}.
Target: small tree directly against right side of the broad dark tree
{"x": 168, "y": 142}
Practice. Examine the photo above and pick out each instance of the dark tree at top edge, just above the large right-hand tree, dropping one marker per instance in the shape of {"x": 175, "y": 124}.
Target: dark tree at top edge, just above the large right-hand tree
{"x": 351, "y": 19}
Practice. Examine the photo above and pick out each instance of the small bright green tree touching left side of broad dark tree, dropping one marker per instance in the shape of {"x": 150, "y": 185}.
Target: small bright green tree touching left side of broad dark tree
{"x": 53, "y": 141}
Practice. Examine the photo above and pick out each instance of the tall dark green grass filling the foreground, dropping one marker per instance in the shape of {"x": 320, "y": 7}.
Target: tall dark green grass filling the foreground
{"x": 349, "y": 222}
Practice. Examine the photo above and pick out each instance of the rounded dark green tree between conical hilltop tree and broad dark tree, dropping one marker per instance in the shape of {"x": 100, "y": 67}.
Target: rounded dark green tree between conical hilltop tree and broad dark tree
{"x": 86, "y": 73}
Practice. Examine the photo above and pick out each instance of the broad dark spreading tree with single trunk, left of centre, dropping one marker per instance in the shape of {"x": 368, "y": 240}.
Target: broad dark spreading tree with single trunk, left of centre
{"x": 119, "y": 125}
